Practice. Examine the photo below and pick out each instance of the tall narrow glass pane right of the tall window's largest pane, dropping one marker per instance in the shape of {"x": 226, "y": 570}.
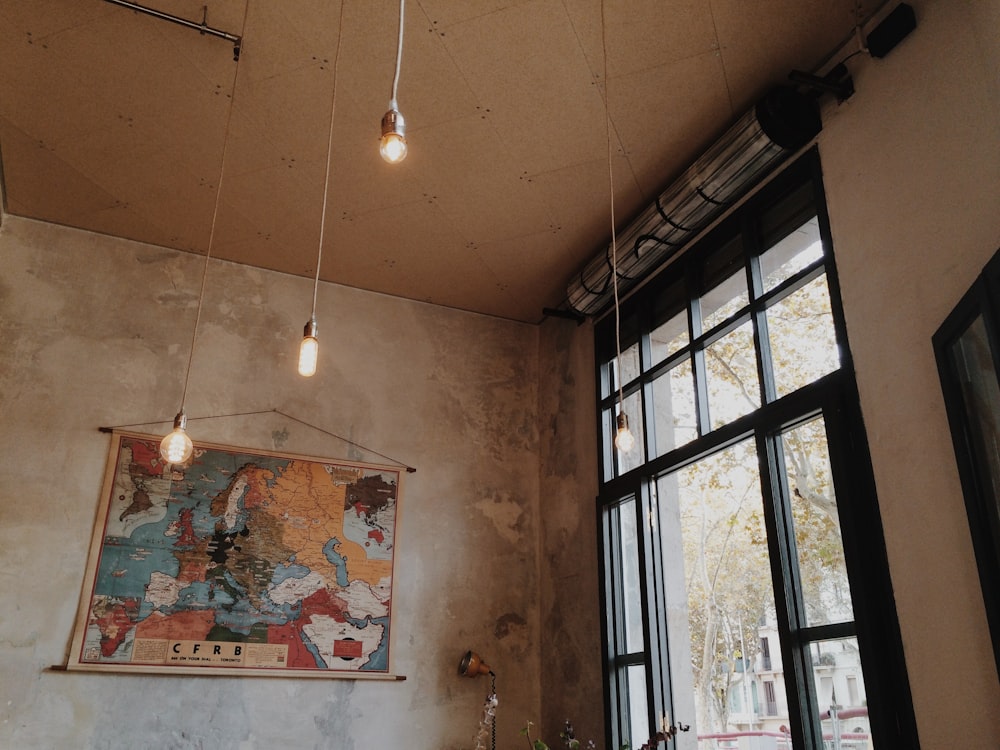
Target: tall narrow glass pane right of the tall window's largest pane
{"x": 819, "y": 545}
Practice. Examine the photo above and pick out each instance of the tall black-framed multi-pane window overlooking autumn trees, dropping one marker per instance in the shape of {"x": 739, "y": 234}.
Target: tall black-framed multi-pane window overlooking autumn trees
{"x": 734, "y": 533}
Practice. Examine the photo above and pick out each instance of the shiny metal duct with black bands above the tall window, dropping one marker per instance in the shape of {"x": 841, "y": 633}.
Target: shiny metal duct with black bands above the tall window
{"x": 780, "y": 123}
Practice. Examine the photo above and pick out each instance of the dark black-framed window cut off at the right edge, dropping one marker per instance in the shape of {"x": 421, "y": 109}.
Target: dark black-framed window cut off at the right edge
{"x": 967, "y": 347}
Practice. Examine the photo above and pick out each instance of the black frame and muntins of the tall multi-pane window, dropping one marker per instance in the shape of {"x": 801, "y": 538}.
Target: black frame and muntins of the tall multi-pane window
{"x": 833, "y": 396}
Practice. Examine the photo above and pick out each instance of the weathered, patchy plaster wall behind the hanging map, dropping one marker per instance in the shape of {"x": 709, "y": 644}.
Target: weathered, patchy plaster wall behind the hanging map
{"x": 96, "y": 331}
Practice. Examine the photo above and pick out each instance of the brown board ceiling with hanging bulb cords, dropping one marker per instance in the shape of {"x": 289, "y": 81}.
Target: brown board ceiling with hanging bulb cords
{"x": 115, "y": 122}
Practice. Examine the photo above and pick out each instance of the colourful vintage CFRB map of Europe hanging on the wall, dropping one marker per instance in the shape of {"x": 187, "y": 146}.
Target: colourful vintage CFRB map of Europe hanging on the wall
{"x": 241, "y": 562}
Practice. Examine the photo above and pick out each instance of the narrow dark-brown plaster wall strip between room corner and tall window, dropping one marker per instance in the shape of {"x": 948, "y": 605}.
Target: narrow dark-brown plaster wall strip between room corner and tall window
{"x": 571, "y": 677}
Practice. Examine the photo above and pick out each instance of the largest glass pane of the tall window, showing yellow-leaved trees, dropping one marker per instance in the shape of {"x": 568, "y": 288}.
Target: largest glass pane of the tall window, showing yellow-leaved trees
{"x": 714, "y": 546}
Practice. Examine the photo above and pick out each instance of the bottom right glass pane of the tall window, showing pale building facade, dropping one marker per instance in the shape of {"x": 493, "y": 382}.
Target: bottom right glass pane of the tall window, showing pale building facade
{"x": 840, "y": 692}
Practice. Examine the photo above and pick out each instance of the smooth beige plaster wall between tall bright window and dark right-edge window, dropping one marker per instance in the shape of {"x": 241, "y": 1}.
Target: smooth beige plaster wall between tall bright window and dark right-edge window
{"x": 912, "y": 174}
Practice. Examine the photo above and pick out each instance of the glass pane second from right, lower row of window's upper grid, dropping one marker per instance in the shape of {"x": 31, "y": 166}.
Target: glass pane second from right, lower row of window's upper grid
{"x": 733, "y": 387}
